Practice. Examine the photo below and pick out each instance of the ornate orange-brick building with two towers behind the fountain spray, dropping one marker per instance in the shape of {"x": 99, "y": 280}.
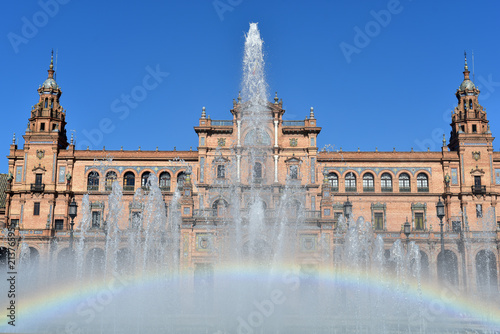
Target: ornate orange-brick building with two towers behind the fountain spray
{"x": 386, "y": 188}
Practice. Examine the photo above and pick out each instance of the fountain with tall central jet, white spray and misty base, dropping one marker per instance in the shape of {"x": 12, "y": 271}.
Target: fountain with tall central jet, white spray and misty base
{"x": 352, "y": 286}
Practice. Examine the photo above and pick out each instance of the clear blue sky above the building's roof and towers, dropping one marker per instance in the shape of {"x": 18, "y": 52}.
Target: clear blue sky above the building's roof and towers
{"x": 396, "y": 90}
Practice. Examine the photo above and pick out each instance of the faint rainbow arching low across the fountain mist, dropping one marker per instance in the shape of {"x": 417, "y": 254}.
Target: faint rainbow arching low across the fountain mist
{"x": 42, "y": 307}
